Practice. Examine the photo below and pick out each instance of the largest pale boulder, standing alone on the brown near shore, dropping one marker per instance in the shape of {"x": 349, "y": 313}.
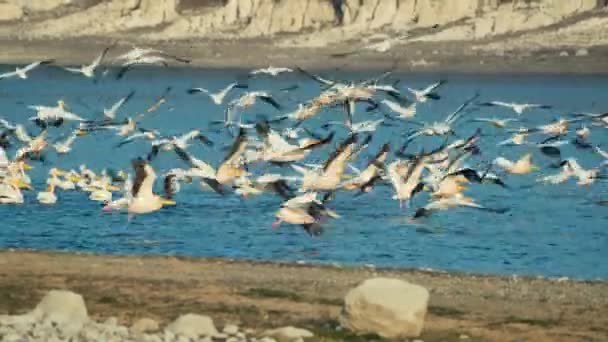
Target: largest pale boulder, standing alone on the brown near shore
{"x": 391, "y": 308}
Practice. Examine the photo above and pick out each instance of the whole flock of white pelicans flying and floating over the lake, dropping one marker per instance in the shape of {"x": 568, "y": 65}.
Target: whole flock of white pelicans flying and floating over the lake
{"x": 283, "y": 140}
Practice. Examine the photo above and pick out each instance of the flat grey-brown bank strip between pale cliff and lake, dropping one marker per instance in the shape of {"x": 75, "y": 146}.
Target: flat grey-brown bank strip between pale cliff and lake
{"x": 414, "y": 57}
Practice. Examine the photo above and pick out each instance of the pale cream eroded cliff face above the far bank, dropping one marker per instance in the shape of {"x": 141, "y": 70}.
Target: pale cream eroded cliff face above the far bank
{"x": 302, "y": 23}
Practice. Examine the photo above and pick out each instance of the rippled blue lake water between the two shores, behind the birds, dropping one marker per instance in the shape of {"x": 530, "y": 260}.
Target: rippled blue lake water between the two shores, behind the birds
{"x": 549, "y": 230}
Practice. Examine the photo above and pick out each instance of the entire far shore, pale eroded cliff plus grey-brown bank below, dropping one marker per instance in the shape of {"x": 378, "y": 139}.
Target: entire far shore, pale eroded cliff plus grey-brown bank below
{"x": 440, "y": 35}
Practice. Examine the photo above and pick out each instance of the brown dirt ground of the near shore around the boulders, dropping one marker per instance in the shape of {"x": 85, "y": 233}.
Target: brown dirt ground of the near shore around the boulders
{"x": 263, "y": 295}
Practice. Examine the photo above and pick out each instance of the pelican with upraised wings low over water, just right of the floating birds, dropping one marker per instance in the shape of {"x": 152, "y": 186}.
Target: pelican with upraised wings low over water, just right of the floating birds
{"x": 143, "y": 200}
